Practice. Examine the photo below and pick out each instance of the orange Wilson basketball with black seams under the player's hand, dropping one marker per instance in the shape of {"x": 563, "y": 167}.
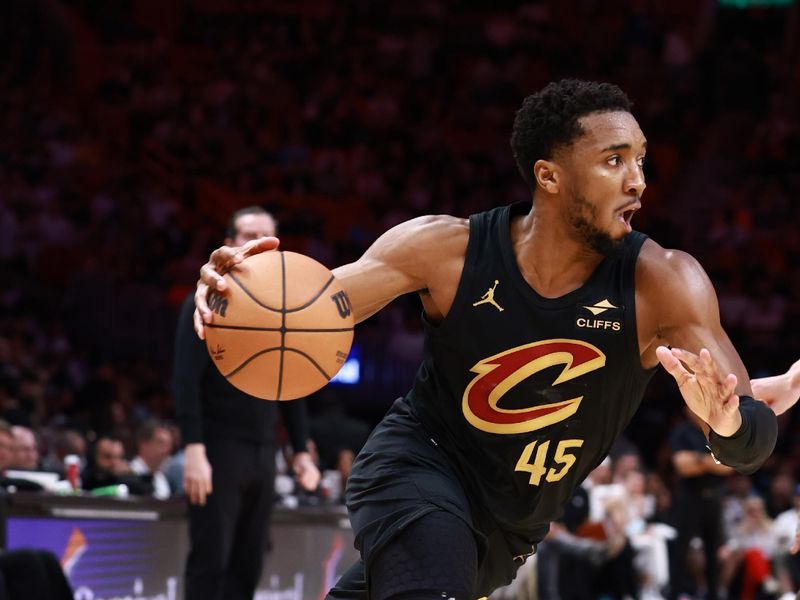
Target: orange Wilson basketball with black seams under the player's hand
{"x": 282, "y": 329}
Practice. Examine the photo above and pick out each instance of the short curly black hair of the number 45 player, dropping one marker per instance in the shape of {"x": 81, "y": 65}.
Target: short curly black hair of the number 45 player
{"x": 548, "y": 119}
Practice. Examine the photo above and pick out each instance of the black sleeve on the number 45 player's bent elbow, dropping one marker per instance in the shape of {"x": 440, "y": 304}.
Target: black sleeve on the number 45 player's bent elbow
{"x": 747, "y": 449}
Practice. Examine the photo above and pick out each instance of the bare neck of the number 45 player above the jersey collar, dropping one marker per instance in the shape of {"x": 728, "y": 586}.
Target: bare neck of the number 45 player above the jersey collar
{"x": 551, "y": 260}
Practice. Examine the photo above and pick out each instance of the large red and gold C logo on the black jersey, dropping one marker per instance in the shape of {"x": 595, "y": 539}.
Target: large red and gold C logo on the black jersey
{"x": 501, "y": 372}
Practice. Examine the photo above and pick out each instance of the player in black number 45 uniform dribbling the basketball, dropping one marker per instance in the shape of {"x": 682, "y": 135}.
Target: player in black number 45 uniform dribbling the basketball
{"x": 519, "y": 398}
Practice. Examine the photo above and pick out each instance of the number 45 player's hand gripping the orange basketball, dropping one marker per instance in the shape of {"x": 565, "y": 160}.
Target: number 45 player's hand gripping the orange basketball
{"x": 211, "y": 275}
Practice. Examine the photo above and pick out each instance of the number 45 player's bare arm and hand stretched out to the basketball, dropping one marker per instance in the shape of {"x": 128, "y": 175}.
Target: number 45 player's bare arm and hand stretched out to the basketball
{"x": 423, "y": 254}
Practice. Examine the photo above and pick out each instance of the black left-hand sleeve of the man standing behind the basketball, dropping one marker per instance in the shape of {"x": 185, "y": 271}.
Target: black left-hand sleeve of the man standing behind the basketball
{"x": 189, "y": 364}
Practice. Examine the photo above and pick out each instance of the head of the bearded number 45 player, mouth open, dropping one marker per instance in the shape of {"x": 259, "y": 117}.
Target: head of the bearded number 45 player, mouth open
{"x": 578, "y": 141}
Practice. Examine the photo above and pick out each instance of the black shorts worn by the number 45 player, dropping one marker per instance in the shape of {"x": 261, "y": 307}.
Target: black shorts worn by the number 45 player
{"x": 399, "y": 477}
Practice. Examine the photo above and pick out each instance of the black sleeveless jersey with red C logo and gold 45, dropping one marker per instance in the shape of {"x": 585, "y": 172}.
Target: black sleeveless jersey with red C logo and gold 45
{"x": 526, "y": 394}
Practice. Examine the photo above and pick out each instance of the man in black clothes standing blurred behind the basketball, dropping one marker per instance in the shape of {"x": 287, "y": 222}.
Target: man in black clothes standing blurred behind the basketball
{"x": 229, "y": 471}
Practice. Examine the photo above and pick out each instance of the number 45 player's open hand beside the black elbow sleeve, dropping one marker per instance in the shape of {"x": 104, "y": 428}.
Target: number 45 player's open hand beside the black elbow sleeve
{"x": 706, "y": 392}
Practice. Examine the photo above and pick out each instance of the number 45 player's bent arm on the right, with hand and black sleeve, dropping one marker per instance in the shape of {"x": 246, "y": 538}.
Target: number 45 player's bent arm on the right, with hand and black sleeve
{"x": 678, "y": 314}
